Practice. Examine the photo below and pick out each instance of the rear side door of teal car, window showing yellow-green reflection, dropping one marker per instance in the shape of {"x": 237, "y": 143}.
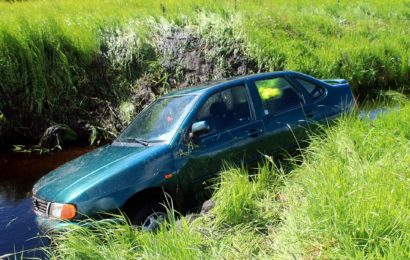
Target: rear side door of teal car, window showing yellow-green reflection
{"x": 286, "y": 115}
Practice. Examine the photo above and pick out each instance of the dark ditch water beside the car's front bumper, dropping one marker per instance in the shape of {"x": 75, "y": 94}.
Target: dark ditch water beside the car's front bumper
{"x": 18, "y": 173}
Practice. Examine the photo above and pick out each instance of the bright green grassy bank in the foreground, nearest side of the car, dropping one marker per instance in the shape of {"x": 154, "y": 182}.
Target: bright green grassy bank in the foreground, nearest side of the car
{"x": 346, "y": 198}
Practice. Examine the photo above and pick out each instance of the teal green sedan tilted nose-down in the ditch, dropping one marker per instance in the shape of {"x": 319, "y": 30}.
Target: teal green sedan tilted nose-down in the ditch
{"x": 181, "y": 140}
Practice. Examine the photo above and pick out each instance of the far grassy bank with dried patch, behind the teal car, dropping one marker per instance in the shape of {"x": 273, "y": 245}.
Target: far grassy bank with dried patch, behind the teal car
{"x": 100, "y": 62}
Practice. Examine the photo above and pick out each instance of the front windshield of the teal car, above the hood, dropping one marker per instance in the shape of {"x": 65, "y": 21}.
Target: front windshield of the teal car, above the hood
{"x": 158, "y": 122}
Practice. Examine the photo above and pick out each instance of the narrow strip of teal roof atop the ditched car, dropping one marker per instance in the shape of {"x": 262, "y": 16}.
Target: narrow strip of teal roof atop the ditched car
{"x": 212, "y": 85}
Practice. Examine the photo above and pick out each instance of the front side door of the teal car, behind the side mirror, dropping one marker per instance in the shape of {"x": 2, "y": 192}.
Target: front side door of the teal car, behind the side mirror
{"x": 233, "y": 130}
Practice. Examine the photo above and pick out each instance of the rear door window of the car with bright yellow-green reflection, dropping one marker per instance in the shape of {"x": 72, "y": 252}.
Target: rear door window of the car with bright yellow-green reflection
{"x": 277, "y": 95}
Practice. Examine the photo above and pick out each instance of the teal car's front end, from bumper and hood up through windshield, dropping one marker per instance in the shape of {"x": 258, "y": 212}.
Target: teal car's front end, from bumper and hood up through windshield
{"x": 104, "y": 179}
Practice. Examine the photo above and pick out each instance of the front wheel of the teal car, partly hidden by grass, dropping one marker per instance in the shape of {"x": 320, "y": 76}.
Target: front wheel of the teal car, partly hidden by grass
{"x": 148, "y": 215}
